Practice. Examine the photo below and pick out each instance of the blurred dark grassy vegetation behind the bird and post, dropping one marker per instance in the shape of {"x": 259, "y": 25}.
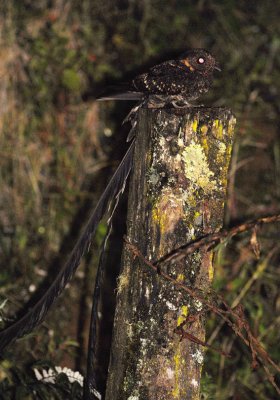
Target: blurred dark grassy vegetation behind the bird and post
{"x": 58, "y": 148}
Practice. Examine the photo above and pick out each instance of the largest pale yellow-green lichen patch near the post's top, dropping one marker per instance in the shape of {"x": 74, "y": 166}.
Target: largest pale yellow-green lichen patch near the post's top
{"x": 197, "y": 169}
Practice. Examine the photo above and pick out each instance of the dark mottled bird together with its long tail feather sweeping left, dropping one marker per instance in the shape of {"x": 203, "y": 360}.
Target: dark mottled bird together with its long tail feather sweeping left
{"x": 175, "y": 82}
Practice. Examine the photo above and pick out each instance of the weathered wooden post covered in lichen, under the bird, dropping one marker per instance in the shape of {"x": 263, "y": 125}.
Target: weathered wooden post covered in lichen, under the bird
{"x": 177, "y": 194}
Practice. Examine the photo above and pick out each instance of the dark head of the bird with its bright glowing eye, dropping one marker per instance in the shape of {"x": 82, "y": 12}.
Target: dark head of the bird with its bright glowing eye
{"x": 200, "y": 61}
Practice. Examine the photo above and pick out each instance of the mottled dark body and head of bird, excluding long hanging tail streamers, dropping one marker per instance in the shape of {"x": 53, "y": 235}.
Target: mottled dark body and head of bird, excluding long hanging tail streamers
{"x": 175, "y": 81}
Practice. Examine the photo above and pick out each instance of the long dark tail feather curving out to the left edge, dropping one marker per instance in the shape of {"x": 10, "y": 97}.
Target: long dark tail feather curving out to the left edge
{"x": 36, "y": 315}
